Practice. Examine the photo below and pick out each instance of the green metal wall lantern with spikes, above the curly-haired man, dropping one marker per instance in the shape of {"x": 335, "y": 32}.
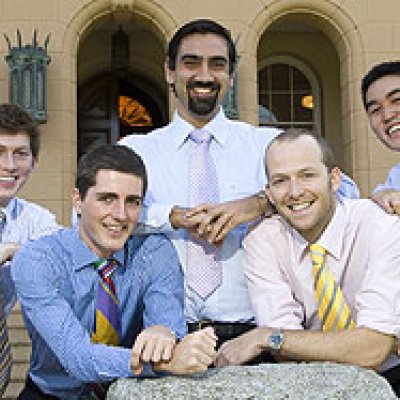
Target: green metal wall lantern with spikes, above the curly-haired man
{"x": 28, "y": 72}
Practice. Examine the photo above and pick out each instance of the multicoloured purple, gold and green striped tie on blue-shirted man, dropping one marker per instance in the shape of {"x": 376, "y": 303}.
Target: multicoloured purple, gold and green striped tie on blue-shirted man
{"x": 107, "y": 325}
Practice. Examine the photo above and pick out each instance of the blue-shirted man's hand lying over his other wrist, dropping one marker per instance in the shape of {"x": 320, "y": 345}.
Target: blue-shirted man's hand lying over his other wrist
{"x": 154, "y": 344}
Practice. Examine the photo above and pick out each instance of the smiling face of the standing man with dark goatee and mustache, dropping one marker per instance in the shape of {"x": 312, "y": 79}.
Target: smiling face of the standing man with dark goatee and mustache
{"x": 201, "y": 77}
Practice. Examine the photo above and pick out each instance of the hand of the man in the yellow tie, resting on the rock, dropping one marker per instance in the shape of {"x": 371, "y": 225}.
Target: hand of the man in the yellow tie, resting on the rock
{"x": 243, "y": 348}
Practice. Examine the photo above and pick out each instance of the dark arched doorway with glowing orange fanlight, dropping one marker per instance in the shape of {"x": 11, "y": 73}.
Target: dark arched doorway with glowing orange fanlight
{"x": 121, "y": 85}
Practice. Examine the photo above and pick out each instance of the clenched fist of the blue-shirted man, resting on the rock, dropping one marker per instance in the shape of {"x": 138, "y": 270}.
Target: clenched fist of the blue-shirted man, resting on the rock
{"x": 193, "y": 354}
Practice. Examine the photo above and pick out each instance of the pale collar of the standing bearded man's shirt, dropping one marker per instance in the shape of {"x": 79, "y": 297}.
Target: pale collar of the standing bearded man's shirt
{"x": 217, "y": 126}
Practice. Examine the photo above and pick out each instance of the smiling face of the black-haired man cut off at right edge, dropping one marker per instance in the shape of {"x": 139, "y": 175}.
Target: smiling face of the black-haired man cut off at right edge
{"x": 383, "y": 109}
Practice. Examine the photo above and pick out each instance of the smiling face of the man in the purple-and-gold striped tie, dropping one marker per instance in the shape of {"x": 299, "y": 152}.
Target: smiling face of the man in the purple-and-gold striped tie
{"x": 109, "y": 211}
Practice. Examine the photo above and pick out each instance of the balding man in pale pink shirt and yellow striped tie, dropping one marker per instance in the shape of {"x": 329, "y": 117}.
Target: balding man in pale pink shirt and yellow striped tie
{"x": 324, "y": 274}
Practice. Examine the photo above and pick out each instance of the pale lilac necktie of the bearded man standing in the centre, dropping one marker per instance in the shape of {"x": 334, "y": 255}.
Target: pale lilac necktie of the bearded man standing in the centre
{"x": 204, "y": 273}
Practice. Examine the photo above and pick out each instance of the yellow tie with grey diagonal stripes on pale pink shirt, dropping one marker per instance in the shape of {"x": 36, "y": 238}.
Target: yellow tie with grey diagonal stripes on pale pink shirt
{"x": 333, "y": 311}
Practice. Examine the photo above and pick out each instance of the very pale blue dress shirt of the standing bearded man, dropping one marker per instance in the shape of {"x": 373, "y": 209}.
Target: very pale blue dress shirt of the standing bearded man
{"x": 238, "y": 152}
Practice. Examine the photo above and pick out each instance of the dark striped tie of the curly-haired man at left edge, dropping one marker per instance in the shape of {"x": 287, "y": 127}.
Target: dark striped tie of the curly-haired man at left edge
{"x": 5, "y": 348}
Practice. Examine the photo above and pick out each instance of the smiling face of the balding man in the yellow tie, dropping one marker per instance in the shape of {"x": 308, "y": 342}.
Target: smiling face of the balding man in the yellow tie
{"x": 300, "y": 186}
